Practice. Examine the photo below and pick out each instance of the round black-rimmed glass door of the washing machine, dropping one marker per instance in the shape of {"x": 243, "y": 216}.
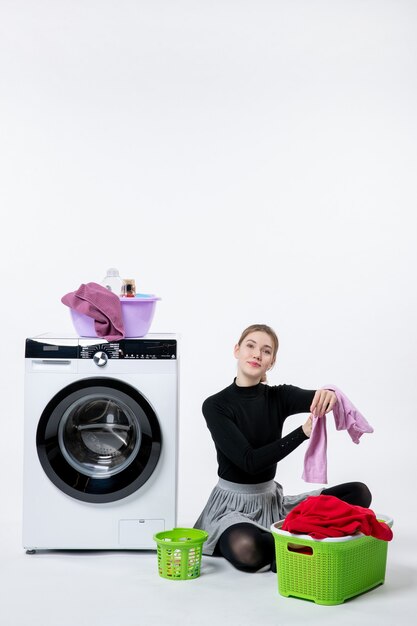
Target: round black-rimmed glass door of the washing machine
{"x": 98, "y": 440}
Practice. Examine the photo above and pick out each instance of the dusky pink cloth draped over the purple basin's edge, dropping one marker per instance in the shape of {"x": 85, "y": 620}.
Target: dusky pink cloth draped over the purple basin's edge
{"x": 102, "y": 305}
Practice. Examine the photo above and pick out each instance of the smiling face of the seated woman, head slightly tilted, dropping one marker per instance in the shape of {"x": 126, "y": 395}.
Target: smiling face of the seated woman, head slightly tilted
{"x": 254, "y": 357}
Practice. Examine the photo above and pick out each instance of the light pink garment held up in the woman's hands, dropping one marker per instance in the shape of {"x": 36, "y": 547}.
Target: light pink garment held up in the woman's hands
{"x": 347, "y": 417}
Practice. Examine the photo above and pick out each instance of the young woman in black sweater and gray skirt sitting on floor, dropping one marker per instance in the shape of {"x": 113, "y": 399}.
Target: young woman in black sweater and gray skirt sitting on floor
{"x": 245, "y": 421}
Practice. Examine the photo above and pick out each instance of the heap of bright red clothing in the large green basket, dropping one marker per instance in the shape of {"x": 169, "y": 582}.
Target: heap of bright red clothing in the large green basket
{"x": 328, "y": 516}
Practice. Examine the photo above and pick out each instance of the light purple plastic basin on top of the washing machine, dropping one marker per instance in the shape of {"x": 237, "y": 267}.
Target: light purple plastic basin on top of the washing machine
{"x": 137, "y": 317}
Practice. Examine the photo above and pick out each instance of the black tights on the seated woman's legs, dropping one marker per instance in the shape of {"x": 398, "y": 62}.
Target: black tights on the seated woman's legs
{"x": 249, "y": 548}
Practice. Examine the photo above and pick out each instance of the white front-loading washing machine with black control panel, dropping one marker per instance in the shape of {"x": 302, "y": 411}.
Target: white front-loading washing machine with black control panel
{"x": 100, "y": 442}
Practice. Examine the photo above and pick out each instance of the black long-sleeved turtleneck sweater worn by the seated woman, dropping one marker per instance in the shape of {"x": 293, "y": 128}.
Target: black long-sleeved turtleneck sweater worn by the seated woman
{"x": 246, "y": 426}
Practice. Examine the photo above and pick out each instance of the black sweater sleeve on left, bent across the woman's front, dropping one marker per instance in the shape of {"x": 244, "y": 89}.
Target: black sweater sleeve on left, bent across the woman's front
{"x": 234, "y": 445}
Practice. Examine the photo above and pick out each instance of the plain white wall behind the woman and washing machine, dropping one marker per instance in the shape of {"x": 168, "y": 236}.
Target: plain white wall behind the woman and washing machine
{"x": 245, "y": 160}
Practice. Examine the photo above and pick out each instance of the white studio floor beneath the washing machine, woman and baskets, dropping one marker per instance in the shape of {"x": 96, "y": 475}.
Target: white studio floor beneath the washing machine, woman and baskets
{"x": 124, "y": 589}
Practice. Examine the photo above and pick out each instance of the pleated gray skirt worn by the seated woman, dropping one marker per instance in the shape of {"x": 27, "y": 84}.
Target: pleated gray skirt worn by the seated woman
{"x": 231, "y": 503}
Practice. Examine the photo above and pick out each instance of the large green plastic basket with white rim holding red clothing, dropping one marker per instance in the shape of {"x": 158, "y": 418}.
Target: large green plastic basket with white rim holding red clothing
{"x": 328, "y": 571}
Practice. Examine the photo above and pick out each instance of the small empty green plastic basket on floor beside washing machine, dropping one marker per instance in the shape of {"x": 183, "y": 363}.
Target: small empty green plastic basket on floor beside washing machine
{"x": 179, "y": 553}
